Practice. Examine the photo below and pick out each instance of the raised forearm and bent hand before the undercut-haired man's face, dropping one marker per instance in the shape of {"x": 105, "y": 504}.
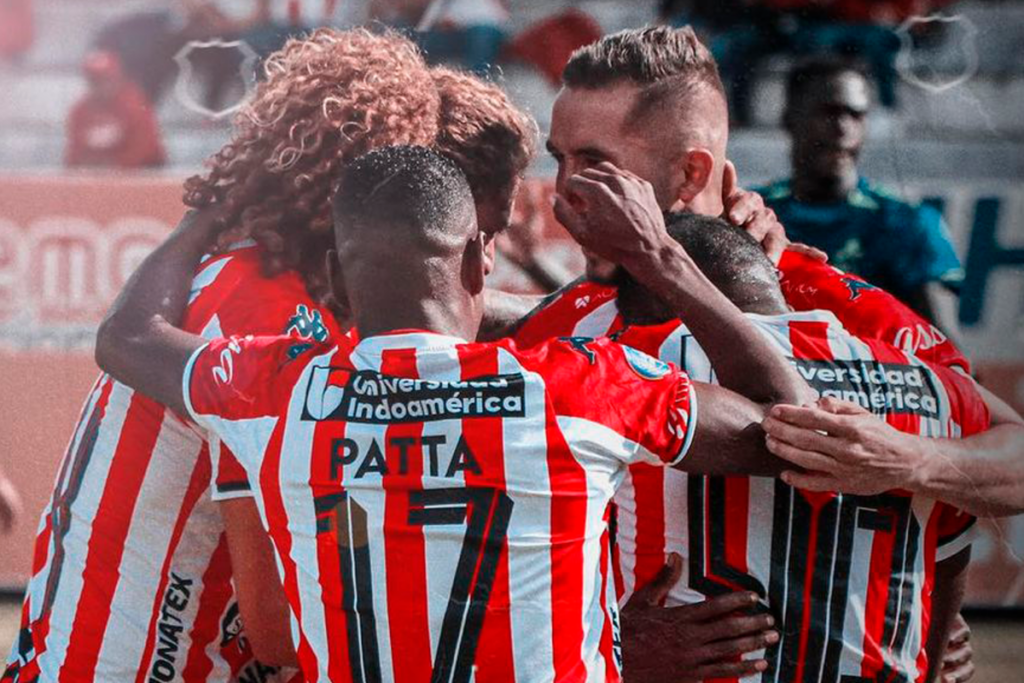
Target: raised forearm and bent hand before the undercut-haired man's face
{"x": 616, "y": 216}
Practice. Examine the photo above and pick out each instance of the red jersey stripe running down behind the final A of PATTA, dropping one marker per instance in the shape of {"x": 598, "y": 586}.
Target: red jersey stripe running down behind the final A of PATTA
{"x": 495, "y": 660}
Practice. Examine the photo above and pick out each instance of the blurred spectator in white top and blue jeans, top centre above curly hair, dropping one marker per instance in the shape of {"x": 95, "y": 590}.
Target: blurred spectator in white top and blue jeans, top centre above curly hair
{"x": 466, "y": 33}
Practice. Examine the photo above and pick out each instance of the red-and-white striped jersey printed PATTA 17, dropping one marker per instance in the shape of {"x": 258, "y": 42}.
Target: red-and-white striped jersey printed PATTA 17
{"x": 440, "y": 508}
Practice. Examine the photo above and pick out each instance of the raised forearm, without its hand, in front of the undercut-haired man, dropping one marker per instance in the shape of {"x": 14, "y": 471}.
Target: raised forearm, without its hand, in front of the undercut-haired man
{"x": 760, "y": 373}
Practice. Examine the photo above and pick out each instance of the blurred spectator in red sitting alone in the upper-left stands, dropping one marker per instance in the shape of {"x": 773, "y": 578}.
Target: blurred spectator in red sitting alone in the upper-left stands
{"x": 113, "y": 126}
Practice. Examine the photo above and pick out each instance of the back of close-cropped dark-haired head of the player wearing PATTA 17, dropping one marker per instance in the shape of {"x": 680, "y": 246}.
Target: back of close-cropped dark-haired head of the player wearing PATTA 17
{"x": 408, "y": 242}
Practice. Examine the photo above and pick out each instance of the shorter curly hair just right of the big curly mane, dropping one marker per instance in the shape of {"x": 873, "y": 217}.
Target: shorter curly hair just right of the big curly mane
{"x": 491, "y": 140}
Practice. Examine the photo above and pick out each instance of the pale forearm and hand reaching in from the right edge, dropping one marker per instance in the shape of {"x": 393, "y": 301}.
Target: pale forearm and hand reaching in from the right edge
{"x": 847, "y": 449}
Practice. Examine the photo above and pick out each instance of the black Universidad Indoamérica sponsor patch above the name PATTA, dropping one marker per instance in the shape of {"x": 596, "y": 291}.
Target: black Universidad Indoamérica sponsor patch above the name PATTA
{"x": 364, "y": 397}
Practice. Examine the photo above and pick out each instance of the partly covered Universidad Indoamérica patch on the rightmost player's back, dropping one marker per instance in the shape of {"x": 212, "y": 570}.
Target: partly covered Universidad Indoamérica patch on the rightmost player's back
{"x": 883, "y": 389}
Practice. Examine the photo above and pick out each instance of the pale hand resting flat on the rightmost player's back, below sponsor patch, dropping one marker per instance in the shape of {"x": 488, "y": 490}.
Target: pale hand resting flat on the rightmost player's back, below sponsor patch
{"x": 843, "y": 448}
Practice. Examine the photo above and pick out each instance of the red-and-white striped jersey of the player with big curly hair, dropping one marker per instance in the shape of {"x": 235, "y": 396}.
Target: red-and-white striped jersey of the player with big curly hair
{"x": 132, "y": 577}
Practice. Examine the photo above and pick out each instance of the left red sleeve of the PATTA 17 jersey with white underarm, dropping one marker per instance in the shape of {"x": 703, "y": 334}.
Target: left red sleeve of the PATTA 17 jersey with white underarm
{"x": 239, "y": 388}
